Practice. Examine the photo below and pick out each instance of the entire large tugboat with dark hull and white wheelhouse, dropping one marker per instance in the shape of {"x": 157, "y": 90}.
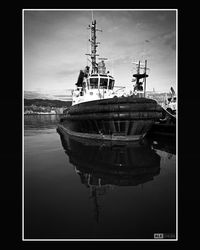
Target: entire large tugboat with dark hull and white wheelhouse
{"x": 100, "y": 112}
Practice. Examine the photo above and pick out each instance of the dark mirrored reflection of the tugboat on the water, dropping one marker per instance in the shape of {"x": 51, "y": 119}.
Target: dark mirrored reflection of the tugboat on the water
{"x": 103, "y": 165}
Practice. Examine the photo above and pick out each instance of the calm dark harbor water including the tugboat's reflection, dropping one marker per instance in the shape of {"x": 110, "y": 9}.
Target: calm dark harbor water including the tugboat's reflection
{"x": 76, "y": 189}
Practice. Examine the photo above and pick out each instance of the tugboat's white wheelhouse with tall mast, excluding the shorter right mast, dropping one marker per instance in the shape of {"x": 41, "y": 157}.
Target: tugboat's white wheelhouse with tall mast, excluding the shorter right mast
{"x": 95, "y": 82}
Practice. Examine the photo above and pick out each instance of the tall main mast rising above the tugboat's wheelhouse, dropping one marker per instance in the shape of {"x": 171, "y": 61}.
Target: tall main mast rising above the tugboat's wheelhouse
{"x": 94, "y": 45}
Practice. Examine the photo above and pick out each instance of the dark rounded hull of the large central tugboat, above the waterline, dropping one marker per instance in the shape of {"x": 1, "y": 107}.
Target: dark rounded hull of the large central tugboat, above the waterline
{"x": 124, "y": 118}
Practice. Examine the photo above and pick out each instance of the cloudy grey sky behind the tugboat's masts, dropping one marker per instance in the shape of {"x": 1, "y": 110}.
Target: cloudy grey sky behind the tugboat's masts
{"x": 55, "y": 43}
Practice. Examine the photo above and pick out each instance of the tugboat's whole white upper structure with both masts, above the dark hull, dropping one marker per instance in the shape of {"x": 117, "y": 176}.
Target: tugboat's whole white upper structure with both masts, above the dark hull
{"x": 96, "y": 83}
